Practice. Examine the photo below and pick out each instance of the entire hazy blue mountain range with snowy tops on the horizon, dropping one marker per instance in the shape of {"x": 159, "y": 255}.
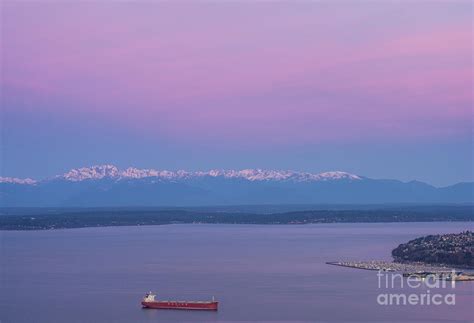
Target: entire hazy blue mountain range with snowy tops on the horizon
{"x": 107, "y": 185}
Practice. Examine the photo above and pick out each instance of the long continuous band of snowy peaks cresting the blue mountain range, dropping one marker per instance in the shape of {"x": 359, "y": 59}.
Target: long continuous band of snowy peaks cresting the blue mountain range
{"x": 112, "y": 172}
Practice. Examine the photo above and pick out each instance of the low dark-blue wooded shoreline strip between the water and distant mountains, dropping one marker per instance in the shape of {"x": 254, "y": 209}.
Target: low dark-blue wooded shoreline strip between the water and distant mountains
{"x": 38, "y": 220}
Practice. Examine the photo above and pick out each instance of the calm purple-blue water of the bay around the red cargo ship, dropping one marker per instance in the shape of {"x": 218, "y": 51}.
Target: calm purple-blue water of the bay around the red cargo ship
{"x": 257, "y": 272}
